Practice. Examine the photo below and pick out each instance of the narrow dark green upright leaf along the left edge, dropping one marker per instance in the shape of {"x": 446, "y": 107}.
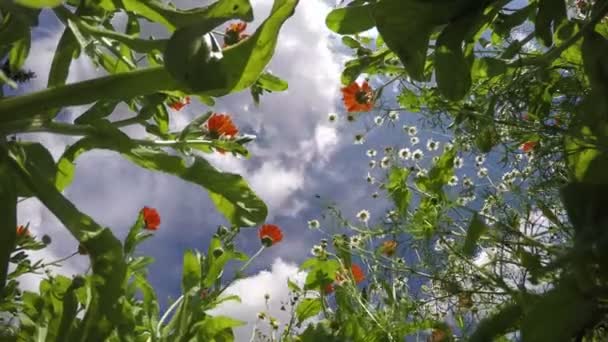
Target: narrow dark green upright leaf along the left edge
{"x": 8, "y": 212}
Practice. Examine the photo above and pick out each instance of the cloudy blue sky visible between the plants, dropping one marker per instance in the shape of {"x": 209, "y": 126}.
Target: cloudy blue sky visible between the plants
{"x": 300, "y": 163}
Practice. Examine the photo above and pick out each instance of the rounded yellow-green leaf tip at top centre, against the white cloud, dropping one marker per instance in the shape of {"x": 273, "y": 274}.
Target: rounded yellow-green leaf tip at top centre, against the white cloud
{"x": 351, "y": 19}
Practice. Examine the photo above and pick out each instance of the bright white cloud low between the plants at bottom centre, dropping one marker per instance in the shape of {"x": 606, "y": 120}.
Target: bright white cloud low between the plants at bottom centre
{"x": 251, "y": 290}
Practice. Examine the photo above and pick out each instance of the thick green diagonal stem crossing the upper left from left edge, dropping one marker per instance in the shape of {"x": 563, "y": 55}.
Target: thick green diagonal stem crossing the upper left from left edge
{"x": 113, "y": 87}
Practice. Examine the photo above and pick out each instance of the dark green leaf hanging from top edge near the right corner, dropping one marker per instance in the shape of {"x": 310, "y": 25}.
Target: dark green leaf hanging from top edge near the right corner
{"x": 550, "y": 15}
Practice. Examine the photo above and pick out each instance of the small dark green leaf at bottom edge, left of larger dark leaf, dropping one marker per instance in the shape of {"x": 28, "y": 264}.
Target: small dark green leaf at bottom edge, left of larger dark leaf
{"x": 498, "y": 324}
